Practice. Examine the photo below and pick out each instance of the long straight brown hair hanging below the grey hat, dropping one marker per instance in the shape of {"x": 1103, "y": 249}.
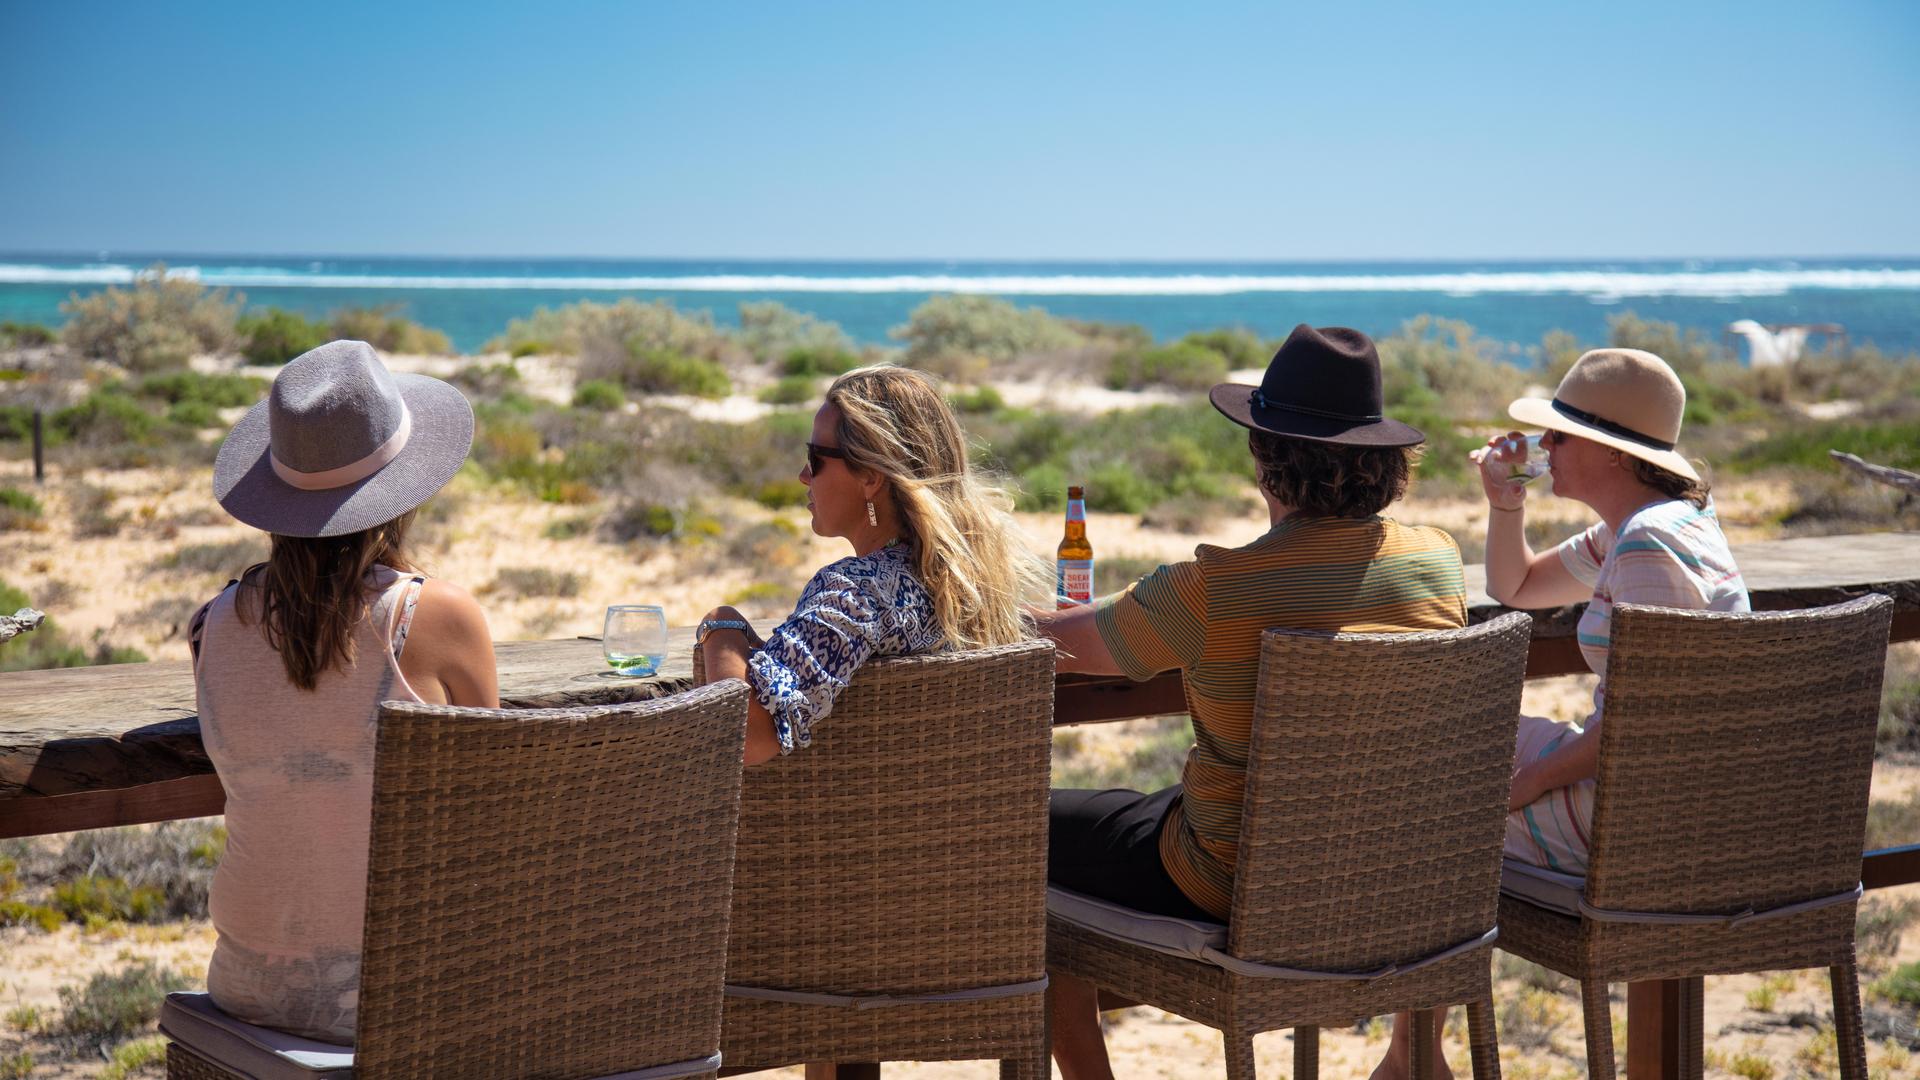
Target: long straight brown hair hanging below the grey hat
{"x": 312, "y": 593}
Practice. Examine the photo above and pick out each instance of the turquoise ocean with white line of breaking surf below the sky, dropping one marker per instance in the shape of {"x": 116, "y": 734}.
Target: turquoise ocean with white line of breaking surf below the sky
{"x": 1514, "y": 303}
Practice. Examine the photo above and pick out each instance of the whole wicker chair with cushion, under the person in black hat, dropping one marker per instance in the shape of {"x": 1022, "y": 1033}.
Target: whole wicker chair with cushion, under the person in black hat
{"x": 1370, "y": 850}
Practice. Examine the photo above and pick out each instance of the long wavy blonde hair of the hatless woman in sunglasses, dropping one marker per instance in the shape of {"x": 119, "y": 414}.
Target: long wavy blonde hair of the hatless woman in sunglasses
{"x": 967, "y": 545}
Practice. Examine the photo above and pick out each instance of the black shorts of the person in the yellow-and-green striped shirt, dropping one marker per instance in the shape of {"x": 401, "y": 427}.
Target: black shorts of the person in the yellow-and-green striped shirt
{"x": 1107, "y": 845}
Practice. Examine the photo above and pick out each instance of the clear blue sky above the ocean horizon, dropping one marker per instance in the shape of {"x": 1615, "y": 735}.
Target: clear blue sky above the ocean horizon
{"x": 1237, "y": 132}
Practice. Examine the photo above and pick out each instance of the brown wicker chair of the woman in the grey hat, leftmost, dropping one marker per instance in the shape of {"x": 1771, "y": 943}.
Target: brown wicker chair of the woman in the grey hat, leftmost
{"x": 546, "y": 896}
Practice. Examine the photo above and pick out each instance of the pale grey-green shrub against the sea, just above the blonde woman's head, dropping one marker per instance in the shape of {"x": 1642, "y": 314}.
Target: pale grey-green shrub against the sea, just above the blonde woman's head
{"x": 965, "y": 337}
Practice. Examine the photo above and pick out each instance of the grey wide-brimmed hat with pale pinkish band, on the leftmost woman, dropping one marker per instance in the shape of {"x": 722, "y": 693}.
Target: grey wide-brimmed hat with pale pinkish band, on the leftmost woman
{"x": 343, "y": 445}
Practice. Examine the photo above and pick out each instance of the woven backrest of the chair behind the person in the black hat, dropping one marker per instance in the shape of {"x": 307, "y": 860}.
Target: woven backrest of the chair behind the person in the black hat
{"x": 1376, "y": 795}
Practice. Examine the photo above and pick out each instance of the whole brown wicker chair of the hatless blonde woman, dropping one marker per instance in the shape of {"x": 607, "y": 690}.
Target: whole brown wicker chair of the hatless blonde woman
{"x": 890, "y": 896}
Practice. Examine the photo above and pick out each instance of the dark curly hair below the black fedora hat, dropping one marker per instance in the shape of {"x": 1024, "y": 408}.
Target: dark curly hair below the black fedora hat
{"x": 1328, "y": 479}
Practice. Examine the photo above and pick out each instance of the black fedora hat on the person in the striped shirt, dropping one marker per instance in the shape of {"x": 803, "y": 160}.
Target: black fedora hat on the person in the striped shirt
{"x": 1324, "y": 385}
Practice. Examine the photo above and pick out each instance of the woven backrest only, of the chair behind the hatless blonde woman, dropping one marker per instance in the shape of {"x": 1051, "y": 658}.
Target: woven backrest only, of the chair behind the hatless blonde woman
{"x": 905, "y": 850}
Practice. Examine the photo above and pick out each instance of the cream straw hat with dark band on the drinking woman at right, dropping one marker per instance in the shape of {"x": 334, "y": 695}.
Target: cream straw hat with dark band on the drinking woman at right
{"x": 1623, "y": 399}
